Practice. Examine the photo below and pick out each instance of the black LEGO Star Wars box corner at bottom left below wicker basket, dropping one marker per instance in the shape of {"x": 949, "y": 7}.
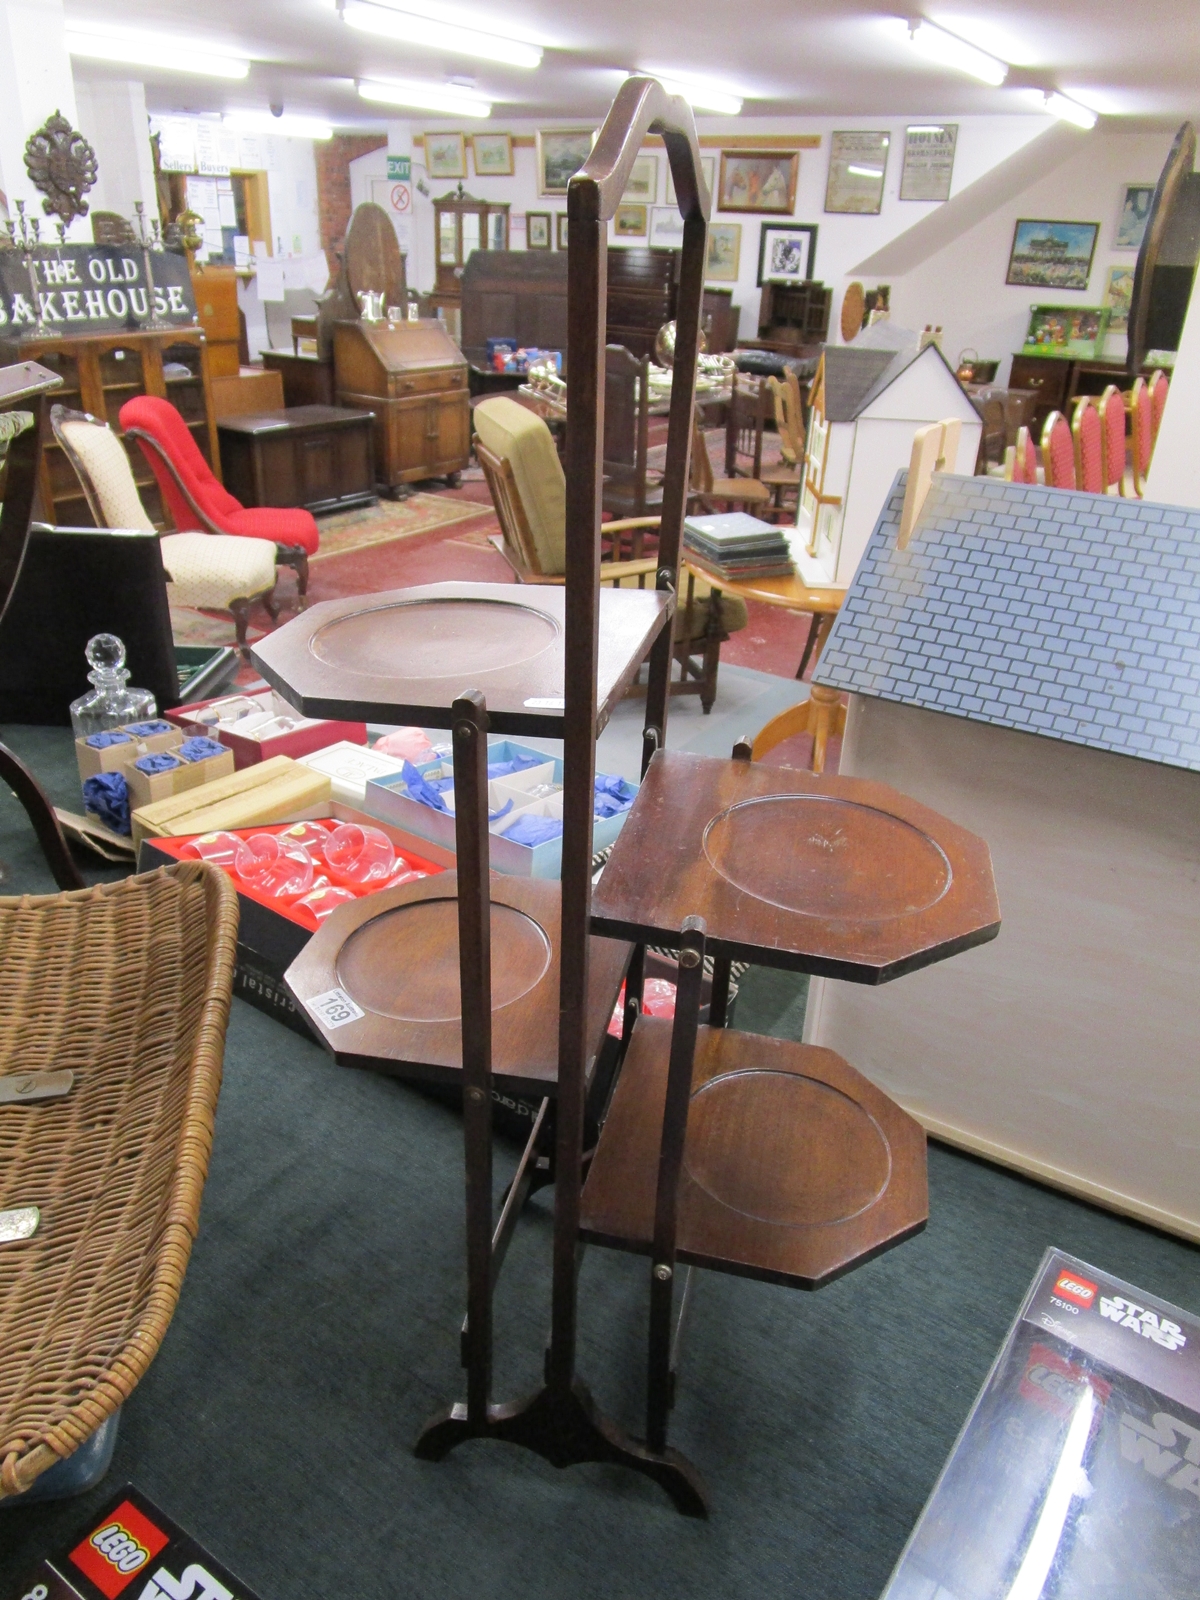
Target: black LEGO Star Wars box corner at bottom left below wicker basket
{"x": 130, "y": 1550}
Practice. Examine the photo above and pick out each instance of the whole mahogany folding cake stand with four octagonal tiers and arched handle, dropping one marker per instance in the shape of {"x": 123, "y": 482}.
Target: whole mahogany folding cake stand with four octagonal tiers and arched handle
{"x": 742, "y": 1154}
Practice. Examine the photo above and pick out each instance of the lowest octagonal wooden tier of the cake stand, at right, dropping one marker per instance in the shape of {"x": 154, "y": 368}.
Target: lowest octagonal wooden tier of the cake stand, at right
{"x": 796, "y": 1167}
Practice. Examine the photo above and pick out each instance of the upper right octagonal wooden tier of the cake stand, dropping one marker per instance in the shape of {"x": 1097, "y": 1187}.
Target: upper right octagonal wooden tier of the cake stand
{"x": 831, "y": 876}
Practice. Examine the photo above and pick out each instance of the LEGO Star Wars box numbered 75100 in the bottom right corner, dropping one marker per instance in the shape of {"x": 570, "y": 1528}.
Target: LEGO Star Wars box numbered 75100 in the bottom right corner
{"x": 1078, "y": 1473}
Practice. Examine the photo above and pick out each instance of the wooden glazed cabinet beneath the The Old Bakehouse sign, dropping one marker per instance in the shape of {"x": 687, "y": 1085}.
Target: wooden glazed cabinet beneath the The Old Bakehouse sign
{"x": 100, "y": 374}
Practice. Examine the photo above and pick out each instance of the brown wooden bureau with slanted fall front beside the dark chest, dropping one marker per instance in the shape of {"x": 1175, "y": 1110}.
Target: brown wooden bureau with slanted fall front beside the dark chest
{"x": 415, "y": 380}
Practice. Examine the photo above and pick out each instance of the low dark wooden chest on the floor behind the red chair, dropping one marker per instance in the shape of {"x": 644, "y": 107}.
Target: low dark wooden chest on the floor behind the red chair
{"x": 319, "y": 457}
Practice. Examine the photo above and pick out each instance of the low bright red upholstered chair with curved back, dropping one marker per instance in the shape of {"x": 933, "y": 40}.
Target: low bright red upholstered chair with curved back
{"x": 198, "y": 502}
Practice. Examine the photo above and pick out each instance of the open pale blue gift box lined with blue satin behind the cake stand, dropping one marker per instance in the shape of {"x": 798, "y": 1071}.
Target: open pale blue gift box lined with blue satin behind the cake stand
{"x": 390, "y": 801}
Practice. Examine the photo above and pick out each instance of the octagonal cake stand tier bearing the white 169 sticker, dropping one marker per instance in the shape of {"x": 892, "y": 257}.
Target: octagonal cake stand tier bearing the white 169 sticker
{"x": 380, "y": 983}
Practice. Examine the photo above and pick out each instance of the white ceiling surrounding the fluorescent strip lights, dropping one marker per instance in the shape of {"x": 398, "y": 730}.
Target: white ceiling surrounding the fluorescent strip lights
{"x": 839, "y": 58}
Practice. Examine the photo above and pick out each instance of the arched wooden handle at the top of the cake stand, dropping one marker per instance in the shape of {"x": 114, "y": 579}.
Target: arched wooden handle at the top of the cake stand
{"x": 642, "y": 106}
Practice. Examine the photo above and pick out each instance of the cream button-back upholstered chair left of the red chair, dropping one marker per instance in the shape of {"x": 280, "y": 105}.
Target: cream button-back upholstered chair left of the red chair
{"x": 215, "y": 572}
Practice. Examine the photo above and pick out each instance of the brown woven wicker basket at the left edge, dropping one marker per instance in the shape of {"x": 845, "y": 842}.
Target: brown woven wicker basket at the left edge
{"x": 127, "y": 986}
